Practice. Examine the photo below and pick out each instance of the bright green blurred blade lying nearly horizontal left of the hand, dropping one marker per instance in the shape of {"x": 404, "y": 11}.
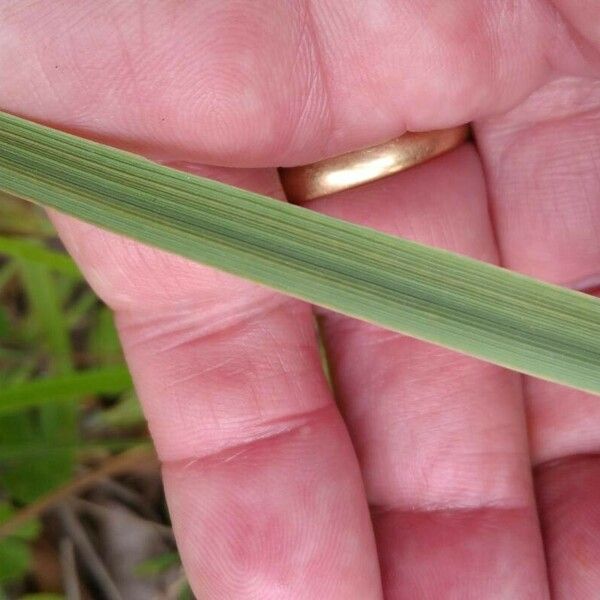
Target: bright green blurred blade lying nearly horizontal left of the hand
{"x": 44, "y": 391}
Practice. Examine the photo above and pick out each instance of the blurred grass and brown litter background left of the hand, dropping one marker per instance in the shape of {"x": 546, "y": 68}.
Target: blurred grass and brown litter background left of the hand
{"x": 67, "y": 411}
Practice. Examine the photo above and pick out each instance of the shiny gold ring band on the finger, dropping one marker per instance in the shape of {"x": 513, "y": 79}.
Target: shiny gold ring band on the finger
{"x": 352, "y": 169}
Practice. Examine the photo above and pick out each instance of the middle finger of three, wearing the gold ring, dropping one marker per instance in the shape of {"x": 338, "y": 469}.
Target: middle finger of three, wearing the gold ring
{"x": 441, "y": 438}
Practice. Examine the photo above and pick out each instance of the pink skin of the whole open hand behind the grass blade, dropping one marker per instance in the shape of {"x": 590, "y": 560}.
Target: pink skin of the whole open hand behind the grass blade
{"x": 431, "y": 475}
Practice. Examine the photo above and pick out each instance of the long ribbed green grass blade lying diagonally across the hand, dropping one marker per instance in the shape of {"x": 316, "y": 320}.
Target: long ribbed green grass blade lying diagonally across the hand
{"x": 428, "y": 293}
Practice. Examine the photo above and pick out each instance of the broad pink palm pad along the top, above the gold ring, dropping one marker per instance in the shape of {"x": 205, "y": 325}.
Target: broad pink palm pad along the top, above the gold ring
{"x": 267, "y": 83}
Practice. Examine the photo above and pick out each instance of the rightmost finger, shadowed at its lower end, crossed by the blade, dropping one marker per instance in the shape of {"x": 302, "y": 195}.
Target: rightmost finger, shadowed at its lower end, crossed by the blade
{"x": 543, "y": 165}
